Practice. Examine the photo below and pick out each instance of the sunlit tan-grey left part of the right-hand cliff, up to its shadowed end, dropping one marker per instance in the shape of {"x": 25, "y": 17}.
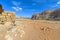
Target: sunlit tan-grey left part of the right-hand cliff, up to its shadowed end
{"x": 43, "y": 15}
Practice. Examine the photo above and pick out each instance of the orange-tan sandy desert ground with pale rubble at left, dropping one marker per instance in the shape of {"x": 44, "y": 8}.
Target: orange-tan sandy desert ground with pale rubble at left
{"x": 30, "y": 30}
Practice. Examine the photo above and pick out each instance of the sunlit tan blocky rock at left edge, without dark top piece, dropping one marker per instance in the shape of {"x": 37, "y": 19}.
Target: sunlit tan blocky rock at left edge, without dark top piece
{"x": 7, "y": 17}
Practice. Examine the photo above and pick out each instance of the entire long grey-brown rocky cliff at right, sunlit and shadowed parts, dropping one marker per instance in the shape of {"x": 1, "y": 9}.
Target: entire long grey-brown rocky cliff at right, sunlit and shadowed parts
{"x": 47, "y": 15}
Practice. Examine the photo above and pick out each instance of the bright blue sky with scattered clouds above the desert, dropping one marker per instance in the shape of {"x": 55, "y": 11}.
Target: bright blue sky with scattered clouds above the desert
{"x": 28, "y": 7}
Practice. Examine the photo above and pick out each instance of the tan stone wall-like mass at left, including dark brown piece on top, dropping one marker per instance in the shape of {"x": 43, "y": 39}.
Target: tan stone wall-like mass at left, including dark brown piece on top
{"x": 6, "y": 16}
